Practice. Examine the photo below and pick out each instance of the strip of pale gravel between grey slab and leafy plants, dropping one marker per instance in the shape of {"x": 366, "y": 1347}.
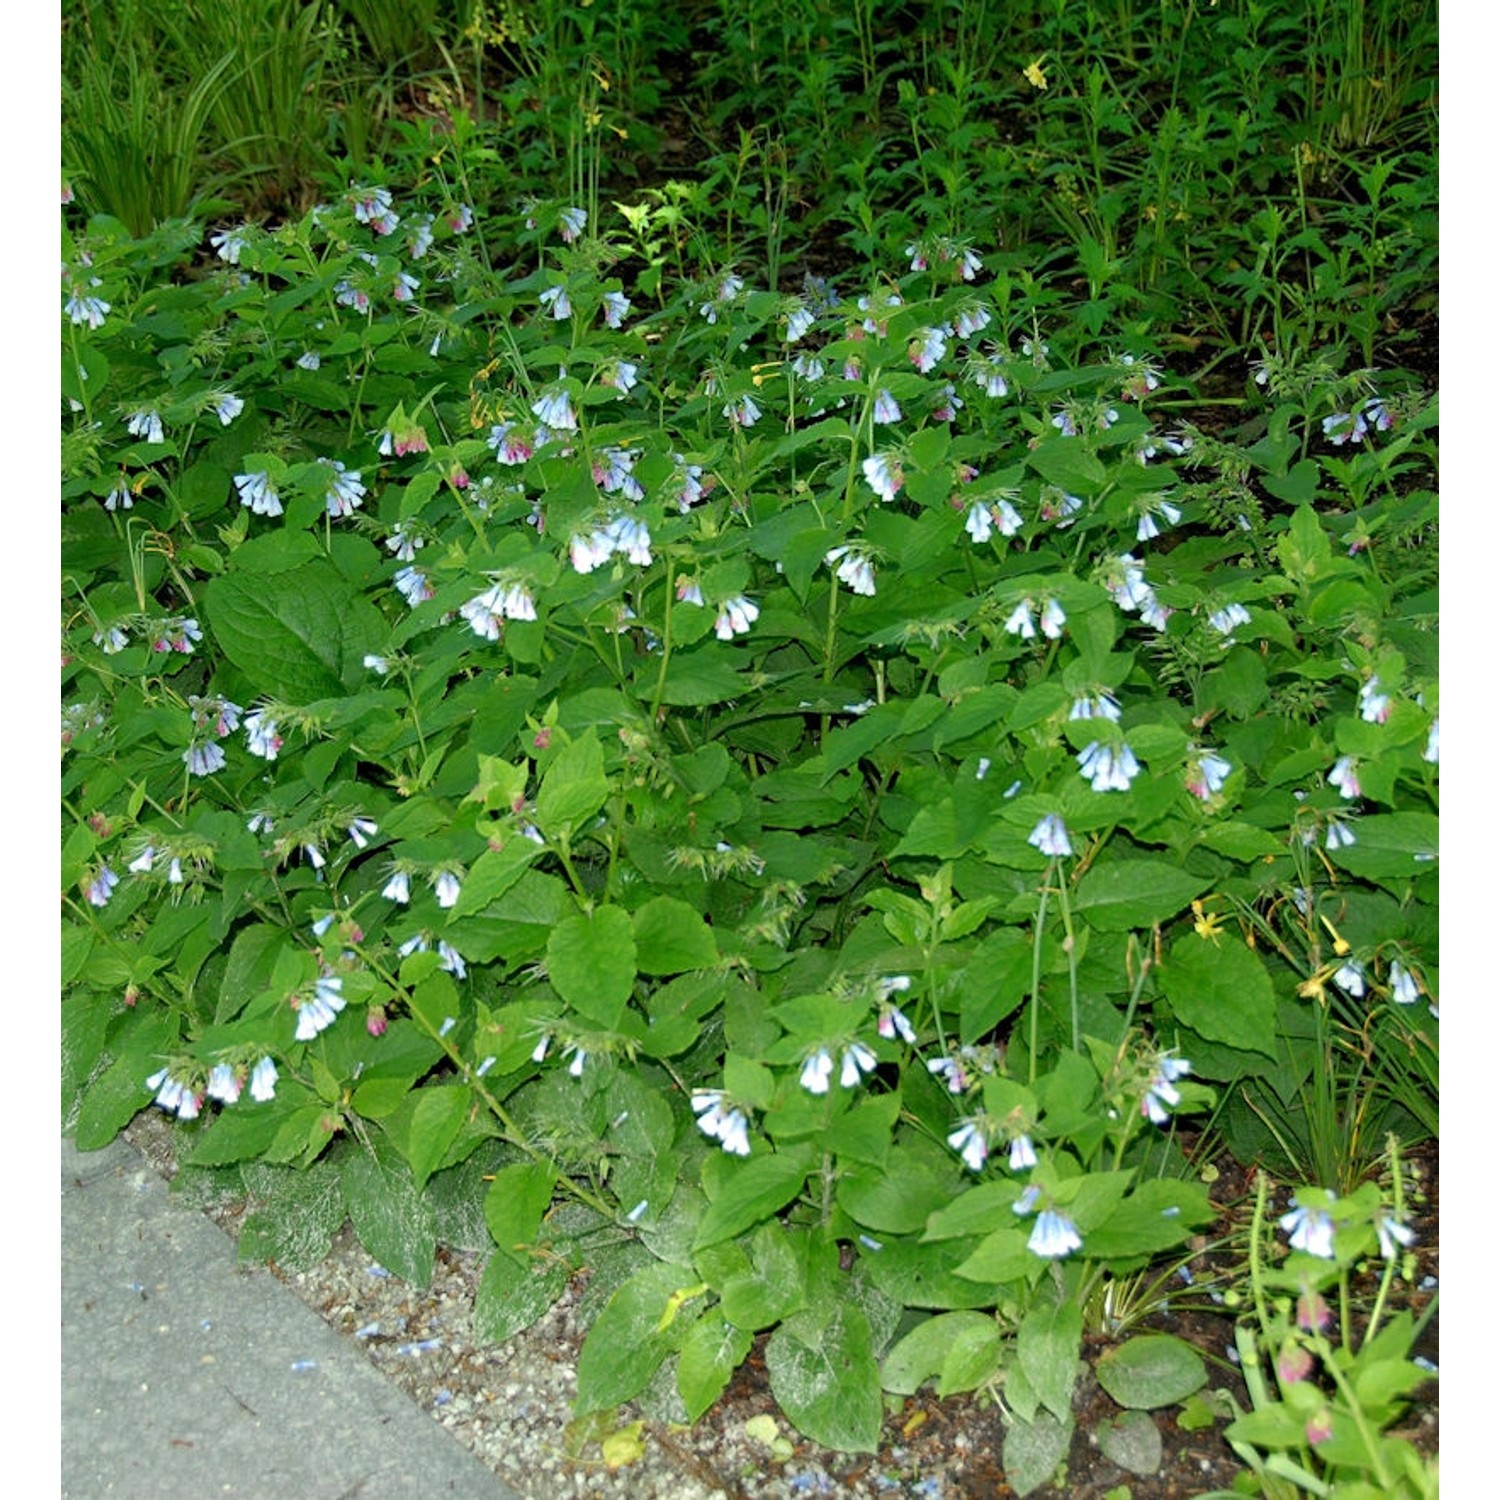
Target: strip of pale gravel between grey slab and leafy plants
{"x": 512, "y": 1403}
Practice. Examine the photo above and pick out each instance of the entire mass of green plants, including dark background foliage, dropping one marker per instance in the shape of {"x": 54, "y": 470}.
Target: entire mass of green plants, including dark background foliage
{"x": 808, "y": 736}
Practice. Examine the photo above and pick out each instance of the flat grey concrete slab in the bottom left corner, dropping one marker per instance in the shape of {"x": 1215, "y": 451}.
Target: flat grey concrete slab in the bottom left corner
{"x": 188, "y": 1375}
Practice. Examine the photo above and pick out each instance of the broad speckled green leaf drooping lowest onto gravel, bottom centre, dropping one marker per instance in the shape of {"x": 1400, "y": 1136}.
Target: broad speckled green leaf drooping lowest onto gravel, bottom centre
{"x": 826, "y": 1379}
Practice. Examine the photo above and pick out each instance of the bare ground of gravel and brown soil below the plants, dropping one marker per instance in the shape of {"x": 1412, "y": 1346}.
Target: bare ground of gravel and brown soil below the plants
{"x": 512, "y": 1405}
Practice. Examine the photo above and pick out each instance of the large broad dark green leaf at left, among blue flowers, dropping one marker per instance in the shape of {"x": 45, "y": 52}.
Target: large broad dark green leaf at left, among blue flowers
{"x": 299, "y": 635}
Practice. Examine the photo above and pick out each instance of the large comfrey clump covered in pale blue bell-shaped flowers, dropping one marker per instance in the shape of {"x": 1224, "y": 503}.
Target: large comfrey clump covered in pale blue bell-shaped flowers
{"x": 767, "y": 824}
